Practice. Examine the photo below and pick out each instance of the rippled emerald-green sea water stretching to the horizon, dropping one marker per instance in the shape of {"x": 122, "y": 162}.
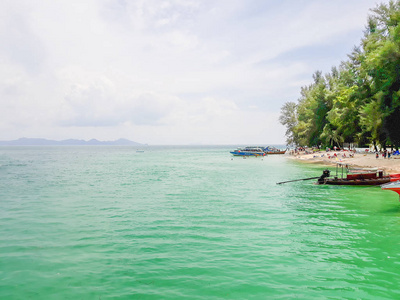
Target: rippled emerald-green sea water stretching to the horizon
{"x": 188, "y": 223}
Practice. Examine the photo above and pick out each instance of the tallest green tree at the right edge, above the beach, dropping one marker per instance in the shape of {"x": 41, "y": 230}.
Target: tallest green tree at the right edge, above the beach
{"x": 382, "y": 63}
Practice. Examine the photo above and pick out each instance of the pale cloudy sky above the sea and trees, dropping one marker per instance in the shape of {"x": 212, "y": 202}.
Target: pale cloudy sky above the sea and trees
{"x": 173, "y": 72}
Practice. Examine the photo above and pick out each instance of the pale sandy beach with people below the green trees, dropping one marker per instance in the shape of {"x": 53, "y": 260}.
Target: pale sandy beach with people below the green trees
{"x": 363, "y": 160}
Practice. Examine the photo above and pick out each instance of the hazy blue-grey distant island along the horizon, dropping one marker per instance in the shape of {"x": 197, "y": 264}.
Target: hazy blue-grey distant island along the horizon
{"x": 69, "y": 142}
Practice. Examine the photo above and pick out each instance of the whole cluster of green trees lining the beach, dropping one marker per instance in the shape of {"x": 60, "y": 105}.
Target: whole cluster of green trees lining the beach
{"x": 359, "y": 101}
